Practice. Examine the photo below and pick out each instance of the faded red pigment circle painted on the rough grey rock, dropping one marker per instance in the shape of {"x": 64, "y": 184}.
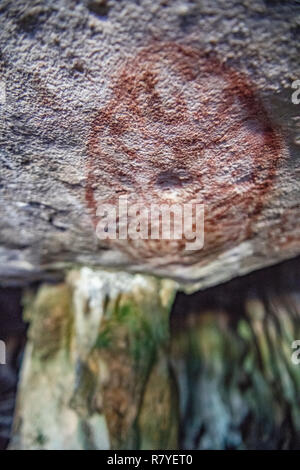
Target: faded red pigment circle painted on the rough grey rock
{"x": 181, "y": 124}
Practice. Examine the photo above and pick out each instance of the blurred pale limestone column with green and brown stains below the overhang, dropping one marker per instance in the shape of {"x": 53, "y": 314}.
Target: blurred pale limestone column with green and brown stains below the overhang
{"x": 95, "y": 363}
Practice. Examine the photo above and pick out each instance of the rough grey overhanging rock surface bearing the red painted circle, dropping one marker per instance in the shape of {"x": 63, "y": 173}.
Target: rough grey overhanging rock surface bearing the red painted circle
{"x": 61, "y": 64}
